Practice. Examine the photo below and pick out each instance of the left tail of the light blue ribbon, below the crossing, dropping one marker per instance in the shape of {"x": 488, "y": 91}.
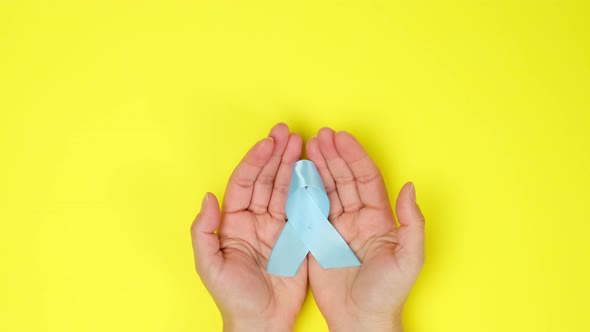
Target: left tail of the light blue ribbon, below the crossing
{"x": 287, "y": 254}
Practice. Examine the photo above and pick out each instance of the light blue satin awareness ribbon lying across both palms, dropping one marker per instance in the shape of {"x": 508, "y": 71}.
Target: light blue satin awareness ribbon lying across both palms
{"x": 307, "y": 228}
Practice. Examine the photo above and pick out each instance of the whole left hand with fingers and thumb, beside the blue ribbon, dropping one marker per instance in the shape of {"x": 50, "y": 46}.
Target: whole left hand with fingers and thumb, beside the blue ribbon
{"x": 232, "y": 262}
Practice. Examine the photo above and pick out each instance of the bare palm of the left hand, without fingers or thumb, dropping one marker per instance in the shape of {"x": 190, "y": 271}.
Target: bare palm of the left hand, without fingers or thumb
{"x": 246, "y": 244}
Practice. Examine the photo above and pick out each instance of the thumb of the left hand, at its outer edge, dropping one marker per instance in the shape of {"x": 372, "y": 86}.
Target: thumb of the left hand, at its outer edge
{"x": 205, "y": 241}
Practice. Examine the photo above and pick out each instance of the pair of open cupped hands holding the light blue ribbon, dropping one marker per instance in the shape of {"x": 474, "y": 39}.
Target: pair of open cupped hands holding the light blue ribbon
{"x": 232, "y": 245}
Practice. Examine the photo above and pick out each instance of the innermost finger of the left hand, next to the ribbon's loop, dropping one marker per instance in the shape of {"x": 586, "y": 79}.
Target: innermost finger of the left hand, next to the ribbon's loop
{"x": 280, "y": 190}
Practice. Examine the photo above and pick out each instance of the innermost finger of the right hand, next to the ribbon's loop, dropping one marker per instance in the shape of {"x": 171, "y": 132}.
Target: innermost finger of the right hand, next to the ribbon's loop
{"x": 313, "y": 153}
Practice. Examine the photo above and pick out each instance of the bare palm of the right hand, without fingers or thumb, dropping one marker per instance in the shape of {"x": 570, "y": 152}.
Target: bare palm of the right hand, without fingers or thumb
{"x": 375, "y": 245}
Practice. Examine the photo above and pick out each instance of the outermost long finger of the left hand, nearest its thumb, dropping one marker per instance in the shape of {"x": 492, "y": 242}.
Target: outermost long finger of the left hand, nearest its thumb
{"x": 241, "y": 183}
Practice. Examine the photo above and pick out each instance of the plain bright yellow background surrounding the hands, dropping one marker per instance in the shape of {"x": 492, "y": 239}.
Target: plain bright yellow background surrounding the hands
{"x": 117, "y": 116}
